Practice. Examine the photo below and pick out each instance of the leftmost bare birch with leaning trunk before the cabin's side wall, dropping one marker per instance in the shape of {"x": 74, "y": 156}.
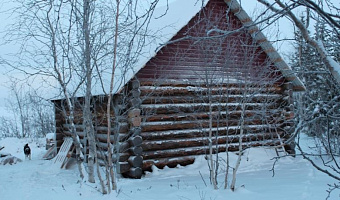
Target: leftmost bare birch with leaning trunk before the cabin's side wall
{"x": 47, "y": 34}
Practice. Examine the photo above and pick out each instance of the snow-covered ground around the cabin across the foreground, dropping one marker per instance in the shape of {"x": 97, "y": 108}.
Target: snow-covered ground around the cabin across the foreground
{"x": 37, "y": 179}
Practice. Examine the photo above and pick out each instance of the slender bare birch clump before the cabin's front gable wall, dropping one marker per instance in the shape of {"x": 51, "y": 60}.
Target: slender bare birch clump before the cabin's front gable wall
{"x": 238, "y": 89}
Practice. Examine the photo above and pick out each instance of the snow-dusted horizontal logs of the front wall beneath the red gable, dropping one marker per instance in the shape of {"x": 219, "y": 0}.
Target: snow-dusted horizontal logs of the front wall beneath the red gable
{"x": 175, "y": 120}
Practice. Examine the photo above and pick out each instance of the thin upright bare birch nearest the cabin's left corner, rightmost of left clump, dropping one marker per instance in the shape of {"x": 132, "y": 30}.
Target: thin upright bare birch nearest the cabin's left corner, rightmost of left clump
{"x": 129, "y": 37}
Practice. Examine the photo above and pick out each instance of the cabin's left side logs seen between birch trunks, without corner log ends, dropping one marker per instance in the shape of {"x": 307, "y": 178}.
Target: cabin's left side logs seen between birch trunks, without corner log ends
{"x": 119, "y": 124}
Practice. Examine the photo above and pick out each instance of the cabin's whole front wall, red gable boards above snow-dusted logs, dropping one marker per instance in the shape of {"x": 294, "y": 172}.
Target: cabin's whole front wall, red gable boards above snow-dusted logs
{"x": 194, "y": 79}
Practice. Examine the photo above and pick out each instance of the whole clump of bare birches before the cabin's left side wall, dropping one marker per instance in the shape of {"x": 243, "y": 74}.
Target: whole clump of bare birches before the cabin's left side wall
{"x": 70, "y": 46}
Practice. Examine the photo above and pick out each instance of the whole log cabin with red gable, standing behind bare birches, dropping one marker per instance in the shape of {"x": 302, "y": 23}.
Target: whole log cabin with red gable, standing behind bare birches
{"x": 216, "y": 79}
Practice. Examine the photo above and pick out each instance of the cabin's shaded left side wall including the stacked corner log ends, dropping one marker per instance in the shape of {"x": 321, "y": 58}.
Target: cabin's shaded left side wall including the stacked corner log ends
{"x": 125, "y": 121}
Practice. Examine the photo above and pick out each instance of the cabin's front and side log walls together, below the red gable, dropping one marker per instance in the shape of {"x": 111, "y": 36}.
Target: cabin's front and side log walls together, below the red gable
{"x": 168, "y": 124}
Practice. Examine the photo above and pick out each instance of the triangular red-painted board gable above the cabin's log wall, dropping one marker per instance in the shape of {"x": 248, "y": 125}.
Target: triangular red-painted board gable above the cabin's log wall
{"x": 192, "y": 56}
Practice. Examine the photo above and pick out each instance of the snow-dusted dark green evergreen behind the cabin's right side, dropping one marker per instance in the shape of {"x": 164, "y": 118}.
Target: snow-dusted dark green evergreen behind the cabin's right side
{"x": 321, "y": 87}
